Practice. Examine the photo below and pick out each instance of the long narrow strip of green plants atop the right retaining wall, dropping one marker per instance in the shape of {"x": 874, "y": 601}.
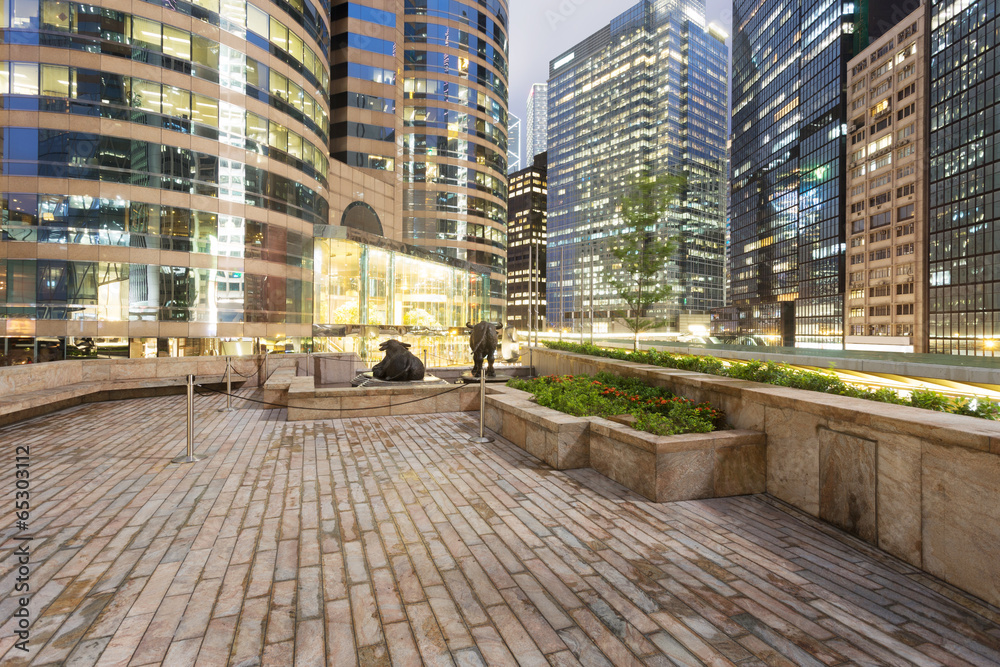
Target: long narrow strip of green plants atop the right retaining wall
{"x": 784, "y": 376}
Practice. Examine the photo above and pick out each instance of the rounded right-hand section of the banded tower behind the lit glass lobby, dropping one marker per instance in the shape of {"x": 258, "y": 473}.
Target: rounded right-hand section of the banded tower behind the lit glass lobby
{"x": 454, "y": 134}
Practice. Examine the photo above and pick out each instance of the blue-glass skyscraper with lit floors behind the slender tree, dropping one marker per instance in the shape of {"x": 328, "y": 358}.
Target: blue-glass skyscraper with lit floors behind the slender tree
{"x": 646, "y": 93}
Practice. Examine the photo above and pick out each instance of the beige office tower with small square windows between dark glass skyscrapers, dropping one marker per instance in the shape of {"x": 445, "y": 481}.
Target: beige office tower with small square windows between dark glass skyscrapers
{"x": 886, "y": 306}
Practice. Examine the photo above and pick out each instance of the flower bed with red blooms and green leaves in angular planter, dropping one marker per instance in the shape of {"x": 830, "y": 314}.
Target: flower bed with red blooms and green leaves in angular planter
{"x": 655, "y": 410}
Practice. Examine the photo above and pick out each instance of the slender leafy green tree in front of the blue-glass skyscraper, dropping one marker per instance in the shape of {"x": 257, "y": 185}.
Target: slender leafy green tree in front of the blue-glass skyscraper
{"x": 641, "y": 252}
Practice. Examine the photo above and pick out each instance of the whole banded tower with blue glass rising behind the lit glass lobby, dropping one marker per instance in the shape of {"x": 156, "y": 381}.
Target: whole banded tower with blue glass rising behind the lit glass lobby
{"x": 420, "y": 103}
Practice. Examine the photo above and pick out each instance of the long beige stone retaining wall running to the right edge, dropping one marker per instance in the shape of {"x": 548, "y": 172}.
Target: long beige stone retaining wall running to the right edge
{"x": 921, "y": 485}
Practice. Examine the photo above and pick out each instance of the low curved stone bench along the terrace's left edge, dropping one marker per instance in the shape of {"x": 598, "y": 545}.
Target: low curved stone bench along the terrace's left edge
{"x": 26, "y": 405}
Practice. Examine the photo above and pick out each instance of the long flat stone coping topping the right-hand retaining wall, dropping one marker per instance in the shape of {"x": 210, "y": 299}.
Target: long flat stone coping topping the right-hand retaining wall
{"x": 942, "y": 427}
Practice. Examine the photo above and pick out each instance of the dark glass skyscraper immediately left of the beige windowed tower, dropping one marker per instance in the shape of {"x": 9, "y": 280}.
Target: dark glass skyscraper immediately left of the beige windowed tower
{"x": 789, "y": 164}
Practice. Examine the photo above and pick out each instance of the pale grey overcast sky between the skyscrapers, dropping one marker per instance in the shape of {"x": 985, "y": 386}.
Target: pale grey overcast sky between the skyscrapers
{"x": 542, "y": 29}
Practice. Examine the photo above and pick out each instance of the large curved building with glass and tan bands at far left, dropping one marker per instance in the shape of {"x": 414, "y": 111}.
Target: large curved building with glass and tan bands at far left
{"x": 163, "y": 167}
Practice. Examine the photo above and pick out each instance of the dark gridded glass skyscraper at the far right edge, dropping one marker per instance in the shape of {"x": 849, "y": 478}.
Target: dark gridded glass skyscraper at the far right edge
{"x": 964, "y": 237}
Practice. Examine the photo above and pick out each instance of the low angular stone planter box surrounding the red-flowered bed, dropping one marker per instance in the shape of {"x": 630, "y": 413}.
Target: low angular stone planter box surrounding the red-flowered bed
{"x": 660, "y": 468}
